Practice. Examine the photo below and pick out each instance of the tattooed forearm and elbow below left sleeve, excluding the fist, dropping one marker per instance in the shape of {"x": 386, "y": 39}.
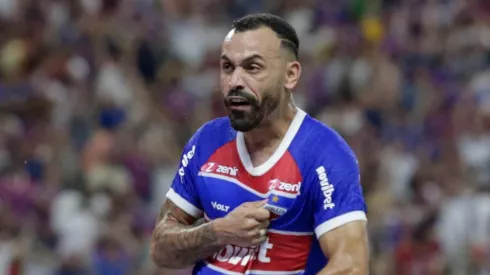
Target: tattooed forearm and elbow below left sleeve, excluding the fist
{"x": 178, "y": 241}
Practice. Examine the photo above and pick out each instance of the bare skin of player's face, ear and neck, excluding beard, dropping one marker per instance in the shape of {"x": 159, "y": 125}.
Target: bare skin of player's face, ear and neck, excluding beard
{"x": 256, "y": 61}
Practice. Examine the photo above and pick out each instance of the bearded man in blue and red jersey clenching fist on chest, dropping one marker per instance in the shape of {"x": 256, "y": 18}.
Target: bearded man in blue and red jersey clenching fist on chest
{"x": 279, "y": 190}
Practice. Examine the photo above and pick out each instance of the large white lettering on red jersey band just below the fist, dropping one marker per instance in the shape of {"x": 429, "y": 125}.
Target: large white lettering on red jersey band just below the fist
{"x": 237, "y": 255}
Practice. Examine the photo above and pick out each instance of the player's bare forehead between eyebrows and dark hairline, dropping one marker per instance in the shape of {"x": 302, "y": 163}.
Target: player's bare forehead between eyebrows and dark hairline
{"x": 240, "y": 45}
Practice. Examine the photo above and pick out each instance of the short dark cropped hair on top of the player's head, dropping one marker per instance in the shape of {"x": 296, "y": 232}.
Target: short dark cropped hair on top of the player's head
{"x": 283, "y": 30}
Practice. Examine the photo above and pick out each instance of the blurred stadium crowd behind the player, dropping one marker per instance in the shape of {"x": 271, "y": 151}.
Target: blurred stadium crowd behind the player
{"x": 98, "y": 97}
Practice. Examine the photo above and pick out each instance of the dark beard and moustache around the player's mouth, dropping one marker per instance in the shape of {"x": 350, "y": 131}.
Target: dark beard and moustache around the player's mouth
{"x": 250, "y": 118}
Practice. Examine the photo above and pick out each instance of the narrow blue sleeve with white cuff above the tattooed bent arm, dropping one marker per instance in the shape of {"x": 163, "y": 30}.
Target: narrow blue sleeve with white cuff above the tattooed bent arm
{"x": 183, "y": 191}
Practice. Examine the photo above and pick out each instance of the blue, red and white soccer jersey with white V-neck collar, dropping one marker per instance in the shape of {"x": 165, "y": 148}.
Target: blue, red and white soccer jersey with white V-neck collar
{"x": 311, "y": 182}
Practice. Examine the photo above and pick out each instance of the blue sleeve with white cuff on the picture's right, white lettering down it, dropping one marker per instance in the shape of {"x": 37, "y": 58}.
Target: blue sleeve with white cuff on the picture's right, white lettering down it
{"x": 337, "y": 192}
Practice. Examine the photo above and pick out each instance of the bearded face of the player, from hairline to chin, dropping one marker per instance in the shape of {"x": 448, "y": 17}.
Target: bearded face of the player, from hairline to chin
{"x": 252, "y": 76}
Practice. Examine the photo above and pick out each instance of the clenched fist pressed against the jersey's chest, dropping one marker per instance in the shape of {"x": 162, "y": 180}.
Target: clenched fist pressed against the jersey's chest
{"x": 245, "y": 226}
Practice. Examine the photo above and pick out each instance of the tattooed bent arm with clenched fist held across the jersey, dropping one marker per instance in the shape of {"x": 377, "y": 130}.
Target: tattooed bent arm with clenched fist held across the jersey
{"x": 178, "y": 242}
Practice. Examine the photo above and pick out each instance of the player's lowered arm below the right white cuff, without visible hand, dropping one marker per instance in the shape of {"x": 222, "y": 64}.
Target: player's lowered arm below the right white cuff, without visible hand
{"x": 347, "y": 250}
